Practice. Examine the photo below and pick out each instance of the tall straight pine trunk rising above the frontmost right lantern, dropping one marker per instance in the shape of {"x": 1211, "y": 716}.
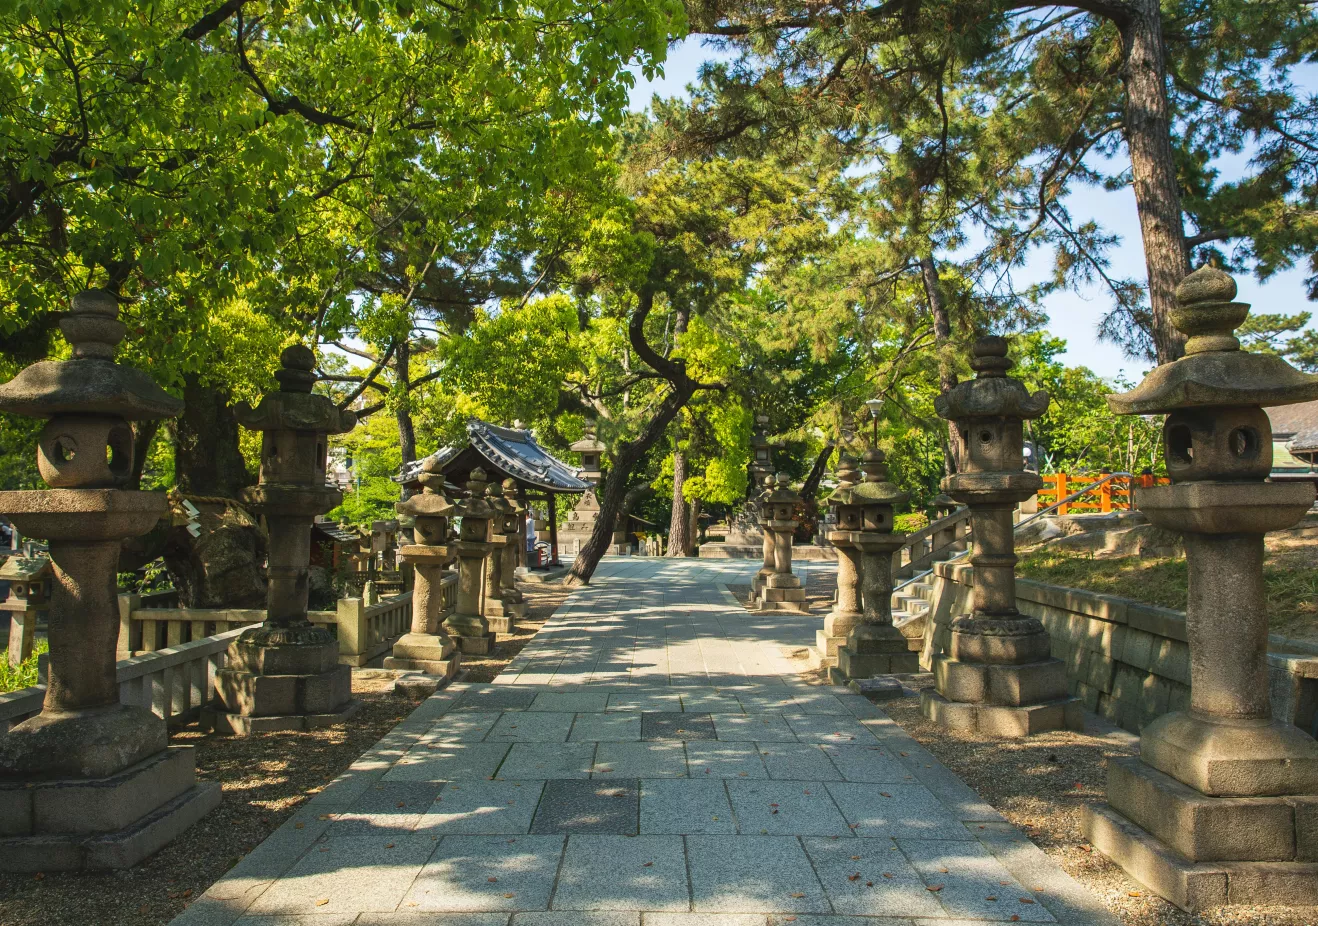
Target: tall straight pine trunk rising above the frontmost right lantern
{"x": 1158, "y": 196}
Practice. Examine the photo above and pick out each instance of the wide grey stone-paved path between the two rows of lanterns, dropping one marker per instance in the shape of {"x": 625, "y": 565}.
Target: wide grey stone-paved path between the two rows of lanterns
{"x": 650, "y": 759}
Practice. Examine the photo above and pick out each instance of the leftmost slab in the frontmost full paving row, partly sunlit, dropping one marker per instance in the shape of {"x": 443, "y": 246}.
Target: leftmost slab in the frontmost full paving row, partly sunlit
{"x": 351, "y": 874}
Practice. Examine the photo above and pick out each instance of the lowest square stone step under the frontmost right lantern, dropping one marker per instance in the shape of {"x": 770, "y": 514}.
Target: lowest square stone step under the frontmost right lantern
{"x": 1196, "y": 886}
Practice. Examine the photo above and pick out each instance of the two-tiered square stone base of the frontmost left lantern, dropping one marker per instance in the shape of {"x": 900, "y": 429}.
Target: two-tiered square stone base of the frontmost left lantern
{"x": 106, "y": 823}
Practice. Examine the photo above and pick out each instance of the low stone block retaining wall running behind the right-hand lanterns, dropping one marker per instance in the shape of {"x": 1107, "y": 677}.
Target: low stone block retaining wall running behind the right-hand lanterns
{"x": 1126, "y": 661}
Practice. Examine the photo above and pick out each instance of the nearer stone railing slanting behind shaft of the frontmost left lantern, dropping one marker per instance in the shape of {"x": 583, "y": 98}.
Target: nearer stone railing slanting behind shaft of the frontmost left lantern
{"x": 175, "y": 682}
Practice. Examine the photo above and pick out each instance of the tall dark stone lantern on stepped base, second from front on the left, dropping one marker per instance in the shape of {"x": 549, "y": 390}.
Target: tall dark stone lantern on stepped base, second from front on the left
{"x": 285, "y": 674}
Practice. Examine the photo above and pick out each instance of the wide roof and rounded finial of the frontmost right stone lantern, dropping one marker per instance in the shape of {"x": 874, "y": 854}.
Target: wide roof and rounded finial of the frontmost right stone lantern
{"x": 1215, "y": 372}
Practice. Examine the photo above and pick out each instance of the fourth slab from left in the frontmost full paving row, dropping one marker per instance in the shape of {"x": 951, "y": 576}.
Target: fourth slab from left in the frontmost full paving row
{"x": 753, "y": 875}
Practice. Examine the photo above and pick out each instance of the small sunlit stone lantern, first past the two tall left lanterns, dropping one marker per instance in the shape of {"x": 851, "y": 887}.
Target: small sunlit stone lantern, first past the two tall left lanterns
{"x": 428, "y": 649}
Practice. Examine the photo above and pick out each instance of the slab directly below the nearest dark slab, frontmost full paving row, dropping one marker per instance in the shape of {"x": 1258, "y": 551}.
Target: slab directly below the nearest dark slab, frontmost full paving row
{"x": 623, "y": 874}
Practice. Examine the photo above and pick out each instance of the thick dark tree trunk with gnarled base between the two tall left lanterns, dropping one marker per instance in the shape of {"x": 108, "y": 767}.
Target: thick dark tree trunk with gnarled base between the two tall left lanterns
{"x": 223, "y": 567}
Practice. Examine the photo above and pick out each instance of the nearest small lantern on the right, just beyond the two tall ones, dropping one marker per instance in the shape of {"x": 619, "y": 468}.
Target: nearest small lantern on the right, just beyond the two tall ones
{"x": 874, "y": 646}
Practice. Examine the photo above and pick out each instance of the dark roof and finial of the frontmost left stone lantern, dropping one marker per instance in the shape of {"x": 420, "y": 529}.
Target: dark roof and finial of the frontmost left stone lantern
{"x": 90, "y": 384}
